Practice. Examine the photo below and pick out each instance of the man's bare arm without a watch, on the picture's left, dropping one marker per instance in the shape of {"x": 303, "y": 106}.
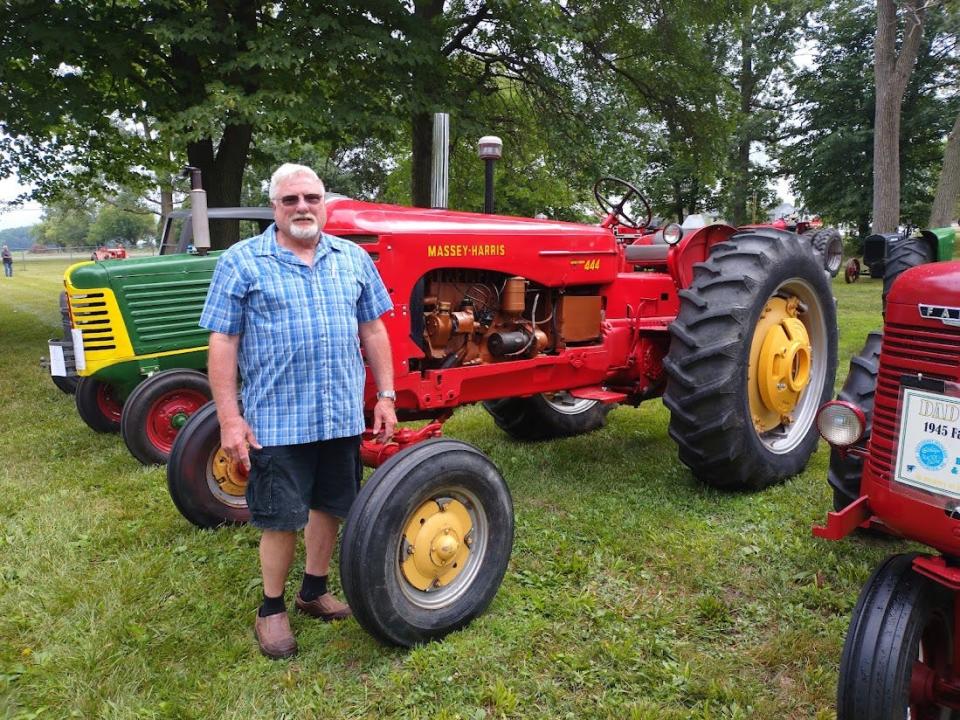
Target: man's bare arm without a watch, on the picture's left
{"x": 235, "y": 434}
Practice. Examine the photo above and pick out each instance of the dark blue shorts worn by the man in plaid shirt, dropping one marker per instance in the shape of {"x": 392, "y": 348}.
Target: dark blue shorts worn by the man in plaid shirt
{"x": 287, "y": 481}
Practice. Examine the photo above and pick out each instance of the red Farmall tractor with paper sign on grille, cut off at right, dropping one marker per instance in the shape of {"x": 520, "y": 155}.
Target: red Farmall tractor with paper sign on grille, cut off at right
{"x": 895, "y": 466}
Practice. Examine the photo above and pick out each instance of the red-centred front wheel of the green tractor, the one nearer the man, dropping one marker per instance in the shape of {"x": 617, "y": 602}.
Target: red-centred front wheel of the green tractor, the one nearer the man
{"x": 157, "y": 409}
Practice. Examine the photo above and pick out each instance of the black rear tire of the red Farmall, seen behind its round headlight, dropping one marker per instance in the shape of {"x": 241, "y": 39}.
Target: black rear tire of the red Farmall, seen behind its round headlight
{"x": 858, "y": 389}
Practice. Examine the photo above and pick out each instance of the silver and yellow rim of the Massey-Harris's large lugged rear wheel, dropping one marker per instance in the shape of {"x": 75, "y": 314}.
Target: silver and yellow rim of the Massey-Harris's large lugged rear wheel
{"x": 788, "y": 366}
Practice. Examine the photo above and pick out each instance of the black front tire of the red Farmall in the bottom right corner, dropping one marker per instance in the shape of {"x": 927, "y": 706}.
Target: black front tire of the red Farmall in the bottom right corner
{"x": 898, "y": 614}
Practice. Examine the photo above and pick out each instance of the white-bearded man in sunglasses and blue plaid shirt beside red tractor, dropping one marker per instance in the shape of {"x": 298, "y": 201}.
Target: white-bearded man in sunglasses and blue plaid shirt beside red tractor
{"x": 291, "y": 308}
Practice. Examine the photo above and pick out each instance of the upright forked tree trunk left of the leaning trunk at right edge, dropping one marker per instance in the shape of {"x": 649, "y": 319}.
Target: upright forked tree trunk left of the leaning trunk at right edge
{"x": 891, "y": 73}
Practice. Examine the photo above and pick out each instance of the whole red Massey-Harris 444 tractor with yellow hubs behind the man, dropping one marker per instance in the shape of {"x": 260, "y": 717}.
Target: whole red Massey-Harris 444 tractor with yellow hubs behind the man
{"x": 548, "y": 324}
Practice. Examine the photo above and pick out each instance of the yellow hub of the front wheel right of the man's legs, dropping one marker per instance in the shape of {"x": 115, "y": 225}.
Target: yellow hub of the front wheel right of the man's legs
{"x": 436, "y": 544}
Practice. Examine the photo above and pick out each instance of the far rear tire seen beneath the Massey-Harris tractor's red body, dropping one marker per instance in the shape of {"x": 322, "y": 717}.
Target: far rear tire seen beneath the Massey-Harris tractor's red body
{"x": 543, "y": 418}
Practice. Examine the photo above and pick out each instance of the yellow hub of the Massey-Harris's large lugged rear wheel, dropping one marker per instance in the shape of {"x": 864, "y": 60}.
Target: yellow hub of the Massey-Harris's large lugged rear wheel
{"x": 780, "y": 358}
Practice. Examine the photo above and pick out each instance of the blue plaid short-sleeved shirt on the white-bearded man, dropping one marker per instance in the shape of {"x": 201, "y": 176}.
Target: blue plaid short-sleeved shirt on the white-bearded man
{"x": 299, "y": 356}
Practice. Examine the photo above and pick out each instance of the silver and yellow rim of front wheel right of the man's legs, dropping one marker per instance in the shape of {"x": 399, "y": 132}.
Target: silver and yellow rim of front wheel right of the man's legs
{"x": 441, "y": 548}
